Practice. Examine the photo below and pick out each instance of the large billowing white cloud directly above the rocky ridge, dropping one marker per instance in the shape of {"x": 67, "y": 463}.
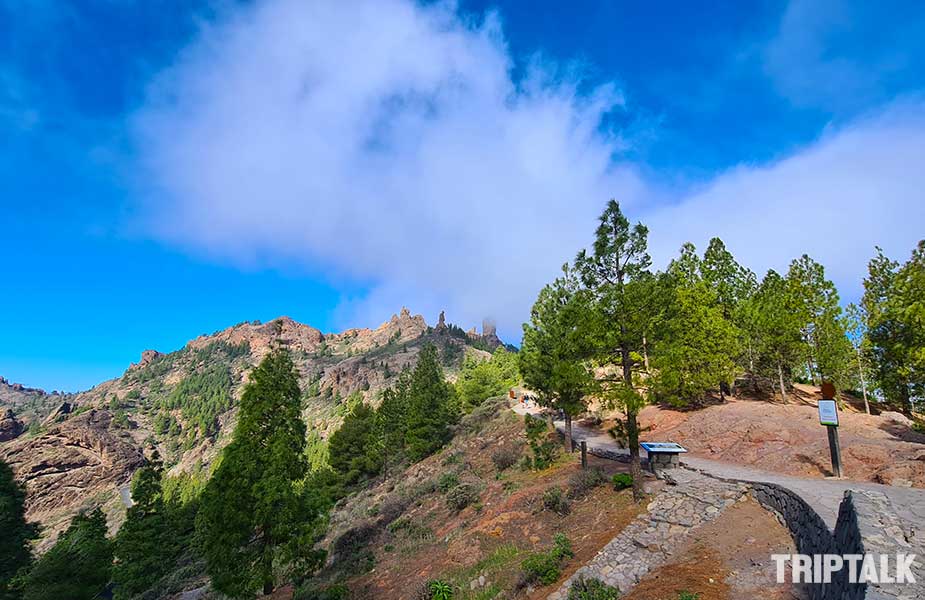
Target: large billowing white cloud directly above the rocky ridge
{"x": 383, "y": 141}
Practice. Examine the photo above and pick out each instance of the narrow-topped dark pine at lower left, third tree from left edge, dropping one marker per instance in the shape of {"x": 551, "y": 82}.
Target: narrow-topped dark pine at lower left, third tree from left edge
{"x": 146, "y": 546}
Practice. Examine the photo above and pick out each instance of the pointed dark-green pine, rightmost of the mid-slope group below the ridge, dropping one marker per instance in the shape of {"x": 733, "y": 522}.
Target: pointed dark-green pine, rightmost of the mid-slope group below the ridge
{"x": 431, "y": 407}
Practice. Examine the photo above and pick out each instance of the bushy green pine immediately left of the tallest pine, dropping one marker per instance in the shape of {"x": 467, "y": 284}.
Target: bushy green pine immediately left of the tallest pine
{"x": 555, "y": 345}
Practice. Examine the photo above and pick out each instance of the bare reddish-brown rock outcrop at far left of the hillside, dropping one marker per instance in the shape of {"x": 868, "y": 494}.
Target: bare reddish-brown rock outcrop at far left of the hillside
{"x": 75, "y": 462}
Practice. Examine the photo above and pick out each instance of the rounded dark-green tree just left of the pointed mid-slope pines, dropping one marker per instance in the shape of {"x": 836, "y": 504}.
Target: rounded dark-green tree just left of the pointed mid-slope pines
{"x": 354, "y": 450}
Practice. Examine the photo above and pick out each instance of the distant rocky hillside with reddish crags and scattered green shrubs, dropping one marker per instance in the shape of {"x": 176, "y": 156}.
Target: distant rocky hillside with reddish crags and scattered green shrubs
{"x": 78, "y": 450}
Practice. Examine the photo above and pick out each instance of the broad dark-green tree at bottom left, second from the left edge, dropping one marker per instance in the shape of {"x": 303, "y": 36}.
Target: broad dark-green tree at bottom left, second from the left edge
{"x": 77, "y": 567}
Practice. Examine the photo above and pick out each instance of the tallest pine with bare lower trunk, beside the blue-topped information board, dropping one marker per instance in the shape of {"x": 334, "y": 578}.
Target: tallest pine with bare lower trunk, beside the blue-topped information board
{"x": 616, "y": 274}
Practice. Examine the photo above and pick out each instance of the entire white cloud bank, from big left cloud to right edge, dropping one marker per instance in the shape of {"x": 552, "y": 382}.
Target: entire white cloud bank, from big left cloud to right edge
{"x": 391, "y": 144}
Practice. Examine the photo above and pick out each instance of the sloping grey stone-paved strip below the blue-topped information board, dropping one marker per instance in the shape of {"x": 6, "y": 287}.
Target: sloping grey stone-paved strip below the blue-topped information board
{"x": 650, "y": 540}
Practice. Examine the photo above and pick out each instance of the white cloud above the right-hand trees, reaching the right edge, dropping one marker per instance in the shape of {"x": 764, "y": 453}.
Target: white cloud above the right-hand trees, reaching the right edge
{"x": 856, "y": 188}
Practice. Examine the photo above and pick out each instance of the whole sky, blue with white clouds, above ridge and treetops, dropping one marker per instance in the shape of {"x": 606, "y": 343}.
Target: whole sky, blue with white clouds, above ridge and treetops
{"x": 172, "y": 169}
